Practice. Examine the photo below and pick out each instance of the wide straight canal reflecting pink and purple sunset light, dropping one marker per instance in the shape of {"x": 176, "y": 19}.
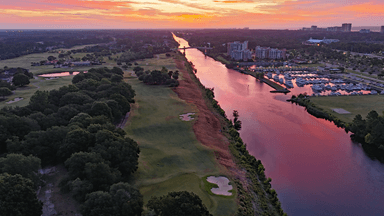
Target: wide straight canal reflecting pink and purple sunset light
{"x": 315, "y": 167}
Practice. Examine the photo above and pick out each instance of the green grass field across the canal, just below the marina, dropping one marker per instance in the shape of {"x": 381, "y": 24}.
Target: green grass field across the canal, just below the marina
{"x": 361, "y": 104}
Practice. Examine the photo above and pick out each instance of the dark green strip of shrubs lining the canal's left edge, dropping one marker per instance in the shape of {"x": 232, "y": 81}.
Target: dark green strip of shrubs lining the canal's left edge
{"x": 264, "y": 200}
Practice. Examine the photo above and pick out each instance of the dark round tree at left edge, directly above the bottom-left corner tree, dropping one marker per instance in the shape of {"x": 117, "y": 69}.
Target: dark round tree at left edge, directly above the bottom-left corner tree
{"x": 26, "y": 166}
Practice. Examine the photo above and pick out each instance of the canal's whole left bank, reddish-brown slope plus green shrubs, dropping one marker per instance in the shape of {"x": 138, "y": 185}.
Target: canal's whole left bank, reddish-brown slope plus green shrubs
{"x": 255, "y": 195}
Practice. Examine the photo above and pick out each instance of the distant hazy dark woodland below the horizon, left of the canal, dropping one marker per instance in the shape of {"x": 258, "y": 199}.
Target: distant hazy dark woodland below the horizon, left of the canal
{"x": 142, "y": 43}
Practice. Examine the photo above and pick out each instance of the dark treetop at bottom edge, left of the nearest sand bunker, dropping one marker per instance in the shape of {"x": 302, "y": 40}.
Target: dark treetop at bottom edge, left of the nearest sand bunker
{"x": 178, "y": 203}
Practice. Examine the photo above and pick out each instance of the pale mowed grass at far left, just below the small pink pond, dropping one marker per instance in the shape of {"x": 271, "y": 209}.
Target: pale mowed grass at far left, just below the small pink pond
{"x": 41, "y": 84}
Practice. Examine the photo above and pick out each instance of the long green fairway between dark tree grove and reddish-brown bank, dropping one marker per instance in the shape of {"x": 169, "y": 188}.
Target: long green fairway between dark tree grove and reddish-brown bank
{"x": 171, "y": 158}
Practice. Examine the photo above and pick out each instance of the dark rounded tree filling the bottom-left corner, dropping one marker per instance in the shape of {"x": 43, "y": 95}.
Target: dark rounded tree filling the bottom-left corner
{"x": 18, "y": 197}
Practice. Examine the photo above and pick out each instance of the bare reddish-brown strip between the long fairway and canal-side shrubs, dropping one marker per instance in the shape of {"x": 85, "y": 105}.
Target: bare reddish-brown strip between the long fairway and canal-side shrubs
{"x": 207, "y": 126}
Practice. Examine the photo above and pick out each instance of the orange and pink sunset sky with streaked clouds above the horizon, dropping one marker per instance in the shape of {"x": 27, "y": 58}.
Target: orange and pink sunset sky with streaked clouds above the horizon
{"x": 107, "y": 14}
